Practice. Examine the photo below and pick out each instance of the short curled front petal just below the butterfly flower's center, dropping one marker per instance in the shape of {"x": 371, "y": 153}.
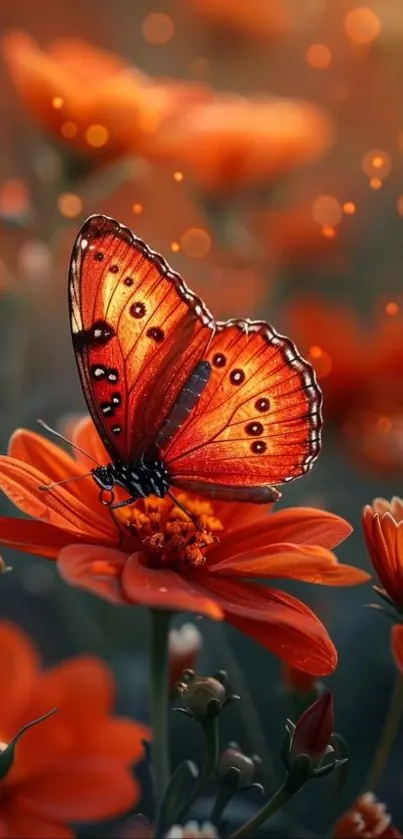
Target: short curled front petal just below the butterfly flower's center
{"x": 164, "y": 589}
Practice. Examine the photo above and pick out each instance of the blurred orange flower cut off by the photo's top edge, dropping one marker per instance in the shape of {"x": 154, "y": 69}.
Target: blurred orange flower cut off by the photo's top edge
{"x": 254, "y": 19}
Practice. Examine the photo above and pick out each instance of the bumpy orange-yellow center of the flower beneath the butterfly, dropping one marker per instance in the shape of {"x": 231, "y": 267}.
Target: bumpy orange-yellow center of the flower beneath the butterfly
{"x": 168, "y": 536}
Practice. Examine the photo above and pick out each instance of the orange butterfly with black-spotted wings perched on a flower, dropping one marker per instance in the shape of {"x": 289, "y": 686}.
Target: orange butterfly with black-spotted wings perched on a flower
{"x": 227, "y": 409}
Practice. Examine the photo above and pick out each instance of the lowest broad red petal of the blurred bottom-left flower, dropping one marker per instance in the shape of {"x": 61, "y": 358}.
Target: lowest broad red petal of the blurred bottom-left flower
{"x": 82, "y": 789}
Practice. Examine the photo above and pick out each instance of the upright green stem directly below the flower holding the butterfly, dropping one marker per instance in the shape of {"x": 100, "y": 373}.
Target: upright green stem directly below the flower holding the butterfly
{"x": 159, "y": 699}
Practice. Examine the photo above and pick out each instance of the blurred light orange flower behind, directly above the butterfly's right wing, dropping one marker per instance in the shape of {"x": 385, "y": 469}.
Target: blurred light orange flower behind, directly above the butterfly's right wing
{"x": 233, "y": 142}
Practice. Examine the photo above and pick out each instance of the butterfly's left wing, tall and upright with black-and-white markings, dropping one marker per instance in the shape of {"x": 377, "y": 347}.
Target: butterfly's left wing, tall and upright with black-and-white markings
{"x": 138, "y": 332}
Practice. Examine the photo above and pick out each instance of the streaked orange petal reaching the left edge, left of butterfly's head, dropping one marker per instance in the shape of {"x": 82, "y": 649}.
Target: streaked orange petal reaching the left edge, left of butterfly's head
{"x": 21, "y": 482}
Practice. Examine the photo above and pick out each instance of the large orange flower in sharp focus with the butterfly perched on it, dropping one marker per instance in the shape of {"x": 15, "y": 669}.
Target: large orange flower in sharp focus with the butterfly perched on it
{"x": 149, "y": 553}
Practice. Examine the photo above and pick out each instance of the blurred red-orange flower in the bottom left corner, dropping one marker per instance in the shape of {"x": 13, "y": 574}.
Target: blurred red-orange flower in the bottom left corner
{"x": 73, "y": 767}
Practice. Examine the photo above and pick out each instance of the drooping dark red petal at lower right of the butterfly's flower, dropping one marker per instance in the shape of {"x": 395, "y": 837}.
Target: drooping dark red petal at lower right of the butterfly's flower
{"x": 279, "y": 622}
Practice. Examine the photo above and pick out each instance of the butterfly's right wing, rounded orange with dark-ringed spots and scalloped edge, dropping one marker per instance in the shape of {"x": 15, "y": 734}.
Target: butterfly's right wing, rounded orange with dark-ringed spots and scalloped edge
{"x": 257, "y": 422}
